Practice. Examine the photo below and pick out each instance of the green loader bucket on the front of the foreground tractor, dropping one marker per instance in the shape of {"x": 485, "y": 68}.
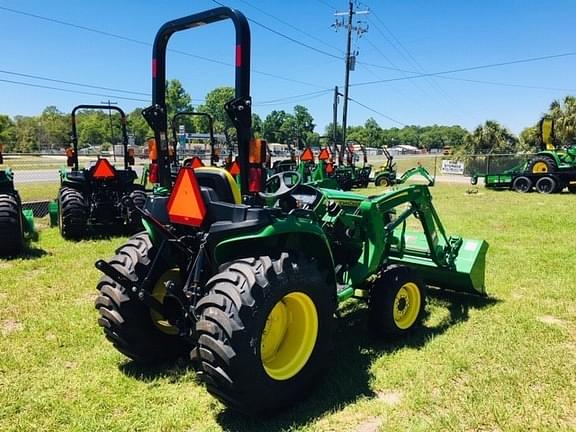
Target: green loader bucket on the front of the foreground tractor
{"x": 469, "y": 271}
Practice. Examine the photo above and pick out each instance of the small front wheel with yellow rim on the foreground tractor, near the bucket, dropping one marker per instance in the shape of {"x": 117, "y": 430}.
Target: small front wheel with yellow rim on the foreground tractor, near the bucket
{"x": 397, "y": 302}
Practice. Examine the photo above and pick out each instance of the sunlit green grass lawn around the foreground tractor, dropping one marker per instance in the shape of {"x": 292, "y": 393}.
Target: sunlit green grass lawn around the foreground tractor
{"x": 503, "y": 363}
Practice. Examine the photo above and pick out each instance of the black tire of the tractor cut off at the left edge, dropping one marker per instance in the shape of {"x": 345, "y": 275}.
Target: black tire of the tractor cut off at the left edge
{"x": 11, "y": 228}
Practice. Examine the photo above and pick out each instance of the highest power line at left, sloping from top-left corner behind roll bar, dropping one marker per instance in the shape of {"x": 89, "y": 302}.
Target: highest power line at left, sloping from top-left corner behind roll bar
{"x": 143, "y": 43}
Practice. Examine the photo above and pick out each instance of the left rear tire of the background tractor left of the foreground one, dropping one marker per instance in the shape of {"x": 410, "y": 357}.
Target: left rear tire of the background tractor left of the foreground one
{"x": 73, "y": 213}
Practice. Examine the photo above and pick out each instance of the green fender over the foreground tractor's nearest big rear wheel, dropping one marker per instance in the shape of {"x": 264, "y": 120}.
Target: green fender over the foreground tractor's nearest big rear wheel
{"x": 290, "y": 234}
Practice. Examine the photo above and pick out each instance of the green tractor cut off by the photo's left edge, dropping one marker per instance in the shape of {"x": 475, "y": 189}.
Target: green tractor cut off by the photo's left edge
{"x": 16, "y": 225}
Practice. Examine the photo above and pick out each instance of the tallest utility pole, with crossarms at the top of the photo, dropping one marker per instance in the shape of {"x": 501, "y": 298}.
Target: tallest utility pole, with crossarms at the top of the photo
{"x": 350, "y": 60}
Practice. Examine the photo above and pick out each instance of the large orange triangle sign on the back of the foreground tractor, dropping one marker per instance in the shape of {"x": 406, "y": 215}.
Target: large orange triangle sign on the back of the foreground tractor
{"x": 186, "y": 205}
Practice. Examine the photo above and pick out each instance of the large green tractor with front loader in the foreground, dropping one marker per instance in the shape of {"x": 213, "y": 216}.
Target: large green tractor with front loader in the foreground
{"x": 247, "y": 281}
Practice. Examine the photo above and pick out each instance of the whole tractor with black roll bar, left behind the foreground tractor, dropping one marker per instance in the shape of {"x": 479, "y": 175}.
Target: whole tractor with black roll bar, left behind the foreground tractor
{"x": 101, "y": 195}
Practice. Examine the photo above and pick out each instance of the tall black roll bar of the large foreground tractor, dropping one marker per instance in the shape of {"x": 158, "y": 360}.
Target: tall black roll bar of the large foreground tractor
{"x": 239, "y": 109}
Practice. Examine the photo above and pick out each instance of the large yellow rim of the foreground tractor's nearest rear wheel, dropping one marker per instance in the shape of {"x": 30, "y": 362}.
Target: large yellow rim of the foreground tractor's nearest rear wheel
{"x": 289, "y": 336}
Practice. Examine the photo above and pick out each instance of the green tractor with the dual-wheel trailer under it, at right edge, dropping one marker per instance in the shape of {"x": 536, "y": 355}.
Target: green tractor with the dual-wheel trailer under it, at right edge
{"x": 549, "y": 171}
